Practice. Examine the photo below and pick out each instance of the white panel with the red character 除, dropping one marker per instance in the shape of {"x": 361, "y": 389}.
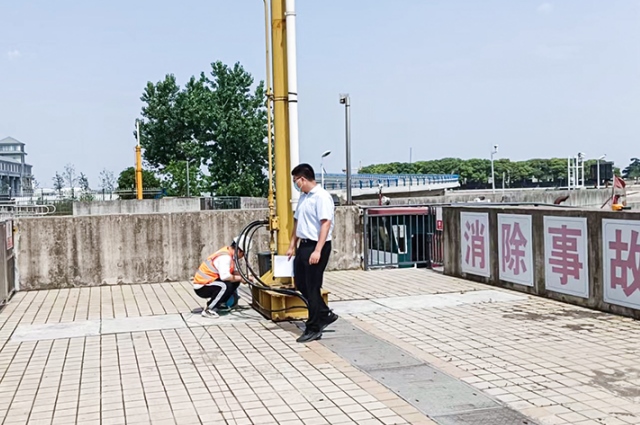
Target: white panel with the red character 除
{"x": 515, "y": 251}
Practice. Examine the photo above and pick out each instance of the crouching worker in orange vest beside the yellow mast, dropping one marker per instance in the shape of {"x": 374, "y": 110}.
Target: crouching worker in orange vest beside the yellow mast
{"x": 217, "y": 280}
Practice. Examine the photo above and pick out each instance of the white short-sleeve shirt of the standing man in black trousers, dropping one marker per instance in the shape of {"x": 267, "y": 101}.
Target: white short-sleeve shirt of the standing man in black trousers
{"x": 313, "y": 207}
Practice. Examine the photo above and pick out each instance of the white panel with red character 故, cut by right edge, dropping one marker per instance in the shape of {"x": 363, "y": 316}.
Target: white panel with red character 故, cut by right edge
{"x": 621, "y": 262}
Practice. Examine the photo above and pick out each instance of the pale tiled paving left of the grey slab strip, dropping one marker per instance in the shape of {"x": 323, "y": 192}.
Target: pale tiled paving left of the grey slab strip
{"x": 232, "y": 373}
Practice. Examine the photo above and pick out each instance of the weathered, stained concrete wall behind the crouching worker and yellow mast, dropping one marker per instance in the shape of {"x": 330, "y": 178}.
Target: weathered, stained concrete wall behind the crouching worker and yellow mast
{"x": 57, "y": 252}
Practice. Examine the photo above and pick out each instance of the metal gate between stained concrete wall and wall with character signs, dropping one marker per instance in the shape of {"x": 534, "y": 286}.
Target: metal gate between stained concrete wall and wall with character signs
{"x": 403, "y": 236}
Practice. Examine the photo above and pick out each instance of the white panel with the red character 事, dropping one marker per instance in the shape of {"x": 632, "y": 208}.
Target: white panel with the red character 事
{"x": 565, "y": 255}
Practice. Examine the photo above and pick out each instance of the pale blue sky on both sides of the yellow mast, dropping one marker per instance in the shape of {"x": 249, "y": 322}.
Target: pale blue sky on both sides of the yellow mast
{"x": 443, "y": 77}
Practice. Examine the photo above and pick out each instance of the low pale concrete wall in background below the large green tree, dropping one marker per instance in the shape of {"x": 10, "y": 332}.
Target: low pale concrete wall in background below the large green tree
{"x": 135, "y": 206}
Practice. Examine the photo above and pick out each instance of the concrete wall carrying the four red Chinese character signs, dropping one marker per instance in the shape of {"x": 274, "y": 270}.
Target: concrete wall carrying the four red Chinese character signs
{"x": 580, "y": 257}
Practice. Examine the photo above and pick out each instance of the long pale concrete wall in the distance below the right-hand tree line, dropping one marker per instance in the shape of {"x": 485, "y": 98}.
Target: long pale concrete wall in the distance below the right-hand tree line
{"x": 588, "y": 198}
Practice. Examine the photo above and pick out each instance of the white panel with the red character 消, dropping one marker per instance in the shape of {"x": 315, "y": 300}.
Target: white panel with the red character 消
{"x": 474, "y": 228}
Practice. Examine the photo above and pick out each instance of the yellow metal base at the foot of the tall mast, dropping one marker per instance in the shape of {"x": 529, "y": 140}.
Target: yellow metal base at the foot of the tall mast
{"x": 279, "y": 307}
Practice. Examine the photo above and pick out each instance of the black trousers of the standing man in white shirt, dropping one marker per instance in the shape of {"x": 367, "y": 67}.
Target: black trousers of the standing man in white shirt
{"x": 308, "y": 280}
